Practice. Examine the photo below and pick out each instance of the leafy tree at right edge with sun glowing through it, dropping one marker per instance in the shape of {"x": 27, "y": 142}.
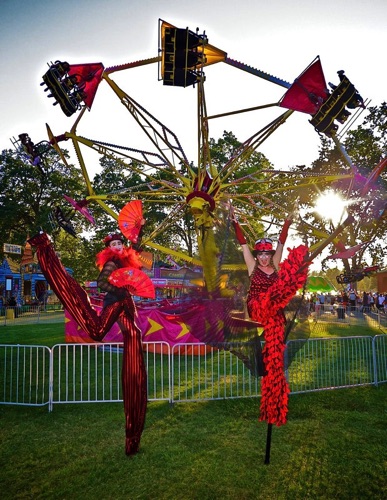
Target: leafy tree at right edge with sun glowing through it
{"x": 366, "y": 146}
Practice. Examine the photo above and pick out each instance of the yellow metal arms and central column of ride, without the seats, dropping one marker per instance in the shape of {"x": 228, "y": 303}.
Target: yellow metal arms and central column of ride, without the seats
{"x": 204, "y": 188}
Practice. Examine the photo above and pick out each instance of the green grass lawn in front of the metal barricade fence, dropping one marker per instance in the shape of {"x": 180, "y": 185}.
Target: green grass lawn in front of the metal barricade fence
{"x": 333, "y": 446}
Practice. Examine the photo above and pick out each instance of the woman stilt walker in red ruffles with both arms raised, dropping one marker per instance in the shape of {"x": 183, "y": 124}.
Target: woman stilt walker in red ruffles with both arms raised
{"x": 272, "y": 286}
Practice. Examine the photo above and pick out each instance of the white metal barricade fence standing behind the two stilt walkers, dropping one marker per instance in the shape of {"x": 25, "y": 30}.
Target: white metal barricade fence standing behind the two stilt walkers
{"x": 79, "y": 373}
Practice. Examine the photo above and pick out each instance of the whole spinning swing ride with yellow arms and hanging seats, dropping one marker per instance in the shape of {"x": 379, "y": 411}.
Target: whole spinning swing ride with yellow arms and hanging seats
{"x": 205, "y": 190}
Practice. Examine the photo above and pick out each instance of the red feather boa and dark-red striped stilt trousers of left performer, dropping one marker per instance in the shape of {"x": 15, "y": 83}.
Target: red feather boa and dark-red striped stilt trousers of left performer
{"x": 118, "y": 307}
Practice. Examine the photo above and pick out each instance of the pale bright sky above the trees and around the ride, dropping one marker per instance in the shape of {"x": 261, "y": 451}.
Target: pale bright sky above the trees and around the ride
{"x": 278, "y": 37}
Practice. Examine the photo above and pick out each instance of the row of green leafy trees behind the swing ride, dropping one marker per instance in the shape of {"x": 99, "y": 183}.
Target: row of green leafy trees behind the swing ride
{"x": 28, "y": 194}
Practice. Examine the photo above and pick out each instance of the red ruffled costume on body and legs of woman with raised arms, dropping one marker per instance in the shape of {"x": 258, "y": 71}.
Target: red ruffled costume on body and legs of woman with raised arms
{"x": 267, "y": 297}
